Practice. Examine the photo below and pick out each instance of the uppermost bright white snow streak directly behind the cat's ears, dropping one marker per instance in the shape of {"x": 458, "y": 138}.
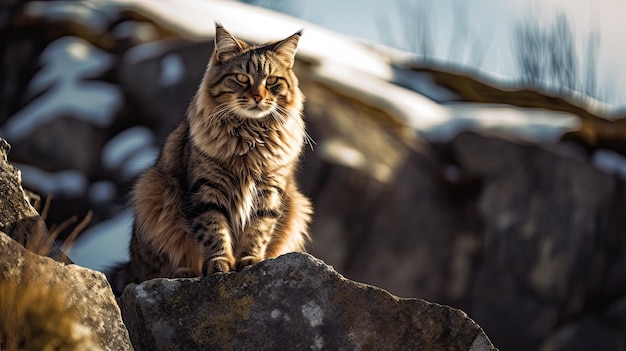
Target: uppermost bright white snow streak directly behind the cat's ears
{"x": 196, "y": 18}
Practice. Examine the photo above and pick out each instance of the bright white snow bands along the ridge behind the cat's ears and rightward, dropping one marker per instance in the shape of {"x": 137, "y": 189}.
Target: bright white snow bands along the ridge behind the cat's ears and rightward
{"x": 357, "y": 69}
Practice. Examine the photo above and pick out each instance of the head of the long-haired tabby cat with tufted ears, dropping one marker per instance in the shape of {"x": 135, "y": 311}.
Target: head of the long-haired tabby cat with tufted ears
{"x": 253, "y": 81}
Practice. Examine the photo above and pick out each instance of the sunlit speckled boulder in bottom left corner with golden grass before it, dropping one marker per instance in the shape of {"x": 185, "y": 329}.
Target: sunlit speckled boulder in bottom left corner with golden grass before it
{"x": 77, "y": 304}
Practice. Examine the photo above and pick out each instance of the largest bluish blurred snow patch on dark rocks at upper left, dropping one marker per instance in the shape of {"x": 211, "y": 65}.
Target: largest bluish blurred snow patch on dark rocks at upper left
{"x": 66, "y": 62}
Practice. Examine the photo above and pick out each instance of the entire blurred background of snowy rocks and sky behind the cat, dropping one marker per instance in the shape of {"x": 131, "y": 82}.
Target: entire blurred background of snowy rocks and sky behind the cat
{"x": 470, "y": 153}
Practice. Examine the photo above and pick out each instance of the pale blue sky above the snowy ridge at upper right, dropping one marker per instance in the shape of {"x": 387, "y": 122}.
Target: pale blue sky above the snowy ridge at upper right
{"x": 488, "y": 28}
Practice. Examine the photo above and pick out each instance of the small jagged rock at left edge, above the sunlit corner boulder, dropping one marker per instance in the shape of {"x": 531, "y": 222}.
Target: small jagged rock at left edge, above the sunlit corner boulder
{"x": 17, "y": 217}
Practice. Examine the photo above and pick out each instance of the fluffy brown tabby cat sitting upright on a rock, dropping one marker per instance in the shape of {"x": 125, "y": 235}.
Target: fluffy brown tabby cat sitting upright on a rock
{"x": 222, "y": 194}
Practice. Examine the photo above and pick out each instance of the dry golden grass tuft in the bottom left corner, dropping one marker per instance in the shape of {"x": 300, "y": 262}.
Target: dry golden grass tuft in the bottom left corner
{"x": 34, "y": 314}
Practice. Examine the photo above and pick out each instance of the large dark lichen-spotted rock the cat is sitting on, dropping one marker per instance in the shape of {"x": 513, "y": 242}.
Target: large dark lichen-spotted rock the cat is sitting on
{"x": 294, "y": 302}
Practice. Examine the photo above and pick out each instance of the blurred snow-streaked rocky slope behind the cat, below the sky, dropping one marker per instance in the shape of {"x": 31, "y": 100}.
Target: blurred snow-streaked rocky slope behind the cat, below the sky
{"x": 516, "y": 222}
